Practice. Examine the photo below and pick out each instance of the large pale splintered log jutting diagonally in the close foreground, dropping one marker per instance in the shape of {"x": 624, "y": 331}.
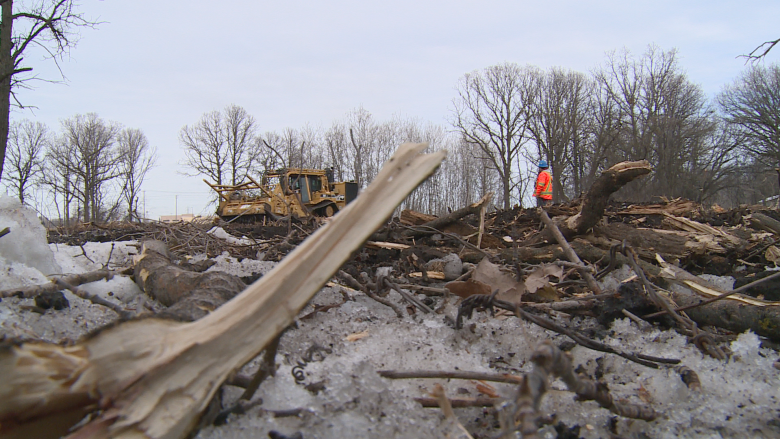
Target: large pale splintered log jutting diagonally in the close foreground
{"x": 153, "y": 378}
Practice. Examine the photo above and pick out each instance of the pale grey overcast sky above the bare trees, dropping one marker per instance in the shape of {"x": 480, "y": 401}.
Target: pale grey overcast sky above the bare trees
{"x": 160, "y": 65}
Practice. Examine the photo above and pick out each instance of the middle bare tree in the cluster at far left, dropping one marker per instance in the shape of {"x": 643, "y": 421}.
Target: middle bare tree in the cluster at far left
{"x": 93, "y": 159}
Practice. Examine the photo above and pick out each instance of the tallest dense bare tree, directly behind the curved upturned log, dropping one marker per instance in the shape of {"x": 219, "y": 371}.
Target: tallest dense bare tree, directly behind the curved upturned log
{"x": 657, "y": 115}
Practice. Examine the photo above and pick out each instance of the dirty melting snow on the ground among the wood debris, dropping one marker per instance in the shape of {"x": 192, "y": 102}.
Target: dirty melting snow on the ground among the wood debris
{"x": 739, "y": 397}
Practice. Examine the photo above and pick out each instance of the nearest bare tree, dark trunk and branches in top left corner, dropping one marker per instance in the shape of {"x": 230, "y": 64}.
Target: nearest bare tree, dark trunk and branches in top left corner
{"x": 49, "y": 25}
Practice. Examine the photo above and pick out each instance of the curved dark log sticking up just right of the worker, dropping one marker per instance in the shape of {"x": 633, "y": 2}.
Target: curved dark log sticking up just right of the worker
{"x": 609, "y": 182}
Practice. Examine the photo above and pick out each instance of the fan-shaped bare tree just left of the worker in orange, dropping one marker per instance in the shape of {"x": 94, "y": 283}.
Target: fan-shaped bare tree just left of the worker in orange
{"x": 492, "y": 112}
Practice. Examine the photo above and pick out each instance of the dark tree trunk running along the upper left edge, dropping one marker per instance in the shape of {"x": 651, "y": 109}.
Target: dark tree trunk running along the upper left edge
{"x": 6, "y": 75}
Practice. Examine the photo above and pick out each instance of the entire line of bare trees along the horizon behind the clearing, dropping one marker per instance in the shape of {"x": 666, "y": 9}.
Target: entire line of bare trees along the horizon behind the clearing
{"x": 503, "y": 119}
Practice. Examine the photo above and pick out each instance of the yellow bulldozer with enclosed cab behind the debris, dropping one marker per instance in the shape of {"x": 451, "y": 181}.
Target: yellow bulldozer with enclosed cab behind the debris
{"x": 295, "y": 192}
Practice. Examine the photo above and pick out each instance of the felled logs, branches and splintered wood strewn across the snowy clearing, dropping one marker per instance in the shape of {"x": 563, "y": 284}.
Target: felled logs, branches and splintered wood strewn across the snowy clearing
{"x": 542, "y": 266}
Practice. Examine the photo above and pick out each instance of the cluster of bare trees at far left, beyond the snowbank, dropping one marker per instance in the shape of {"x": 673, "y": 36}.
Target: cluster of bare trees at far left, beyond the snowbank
{"x": 91, "y": 170}
